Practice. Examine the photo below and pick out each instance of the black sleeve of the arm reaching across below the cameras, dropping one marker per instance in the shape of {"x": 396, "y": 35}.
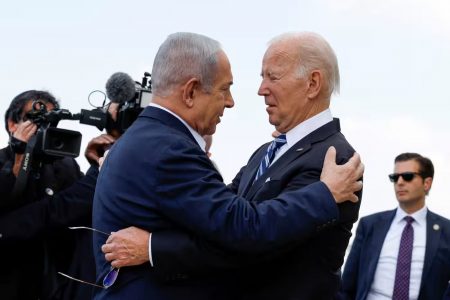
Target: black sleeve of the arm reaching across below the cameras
{"x": 70, "y": 207}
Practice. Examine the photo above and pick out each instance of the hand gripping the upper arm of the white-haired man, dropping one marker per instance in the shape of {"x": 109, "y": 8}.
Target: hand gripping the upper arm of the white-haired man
{"x": 342, "y": 180}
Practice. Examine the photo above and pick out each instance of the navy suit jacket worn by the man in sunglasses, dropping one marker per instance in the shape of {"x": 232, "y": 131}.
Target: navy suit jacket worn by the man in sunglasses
{"x": 363, "y": 258}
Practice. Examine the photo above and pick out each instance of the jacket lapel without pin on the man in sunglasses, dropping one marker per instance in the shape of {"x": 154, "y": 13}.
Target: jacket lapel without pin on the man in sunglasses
{"x": 380, "y": 228}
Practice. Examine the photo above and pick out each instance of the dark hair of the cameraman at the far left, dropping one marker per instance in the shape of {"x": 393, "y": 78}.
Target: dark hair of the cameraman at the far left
{"x": 15, "y": 109}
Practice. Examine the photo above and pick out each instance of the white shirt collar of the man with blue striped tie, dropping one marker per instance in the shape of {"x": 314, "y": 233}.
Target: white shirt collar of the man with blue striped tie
{"x": 306, "y": 127}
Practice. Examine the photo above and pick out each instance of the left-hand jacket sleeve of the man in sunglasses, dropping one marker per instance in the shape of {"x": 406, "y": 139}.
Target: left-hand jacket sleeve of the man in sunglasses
{"x": 351, "y": 271}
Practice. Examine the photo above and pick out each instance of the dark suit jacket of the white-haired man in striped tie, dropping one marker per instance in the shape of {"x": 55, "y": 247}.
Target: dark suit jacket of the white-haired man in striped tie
{"x": 306, "y": 269}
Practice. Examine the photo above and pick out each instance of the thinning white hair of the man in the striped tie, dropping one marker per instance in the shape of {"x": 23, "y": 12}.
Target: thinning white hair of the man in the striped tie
{"x": 314, "y": 53}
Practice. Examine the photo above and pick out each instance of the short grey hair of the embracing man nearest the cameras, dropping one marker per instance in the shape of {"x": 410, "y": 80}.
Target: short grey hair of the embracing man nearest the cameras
{"x": 182, "y": 56}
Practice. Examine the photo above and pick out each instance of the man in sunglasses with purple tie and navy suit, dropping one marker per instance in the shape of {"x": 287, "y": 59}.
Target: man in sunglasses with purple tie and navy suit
{"x": 402, "y": 253}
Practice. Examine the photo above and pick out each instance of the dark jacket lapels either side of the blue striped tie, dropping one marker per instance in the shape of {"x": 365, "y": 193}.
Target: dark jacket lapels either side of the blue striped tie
{"x": 278, "y": 167}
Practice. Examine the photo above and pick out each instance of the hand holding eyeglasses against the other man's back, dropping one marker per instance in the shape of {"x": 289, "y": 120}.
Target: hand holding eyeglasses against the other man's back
{"x": 127, "y": 247}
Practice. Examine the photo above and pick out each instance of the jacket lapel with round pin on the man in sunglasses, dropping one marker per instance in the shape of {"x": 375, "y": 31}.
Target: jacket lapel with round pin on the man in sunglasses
{"x": 434, "y": 229}
